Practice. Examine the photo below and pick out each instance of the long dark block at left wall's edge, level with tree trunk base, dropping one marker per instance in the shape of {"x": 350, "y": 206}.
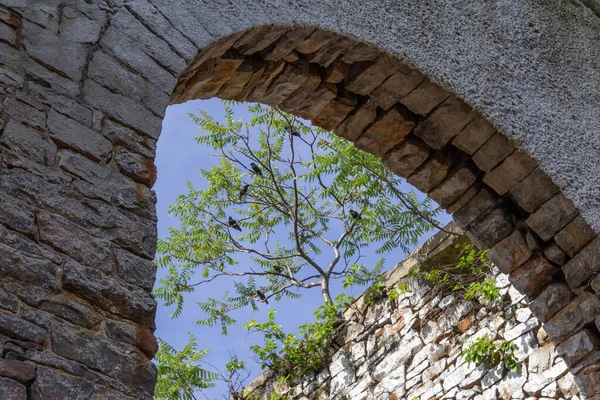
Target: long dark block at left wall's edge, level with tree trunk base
{"x": 110, "y": 294}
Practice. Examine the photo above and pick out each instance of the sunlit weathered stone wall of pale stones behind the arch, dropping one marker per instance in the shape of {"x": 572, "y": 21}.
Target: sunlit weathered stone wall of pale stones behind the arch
{"x": 412, "y": 348}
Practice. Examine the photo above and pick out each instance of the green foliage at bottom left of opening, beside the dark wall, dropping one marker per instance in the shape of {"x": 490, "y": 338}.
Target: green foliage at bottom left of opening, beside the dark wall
{"x": 179, "y": 374}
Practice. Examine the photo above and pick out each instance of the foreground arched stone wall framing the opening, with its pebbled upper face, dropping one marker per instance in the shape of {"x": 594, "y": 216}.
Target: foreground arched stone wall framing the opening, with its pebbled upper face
{"x": 85, "y": 85}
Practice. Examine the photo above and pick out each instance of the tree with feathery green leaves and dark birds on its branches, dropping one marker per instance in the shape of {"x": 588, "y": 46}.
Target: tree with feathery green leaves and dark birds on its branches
{"x": 288, "y": 207}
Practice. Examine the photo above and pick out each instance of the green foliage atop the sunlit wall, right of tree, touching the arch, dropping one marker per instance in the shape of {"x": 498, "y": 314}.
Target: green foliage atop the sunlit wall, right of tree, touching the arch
{"x": 466, "y": 276}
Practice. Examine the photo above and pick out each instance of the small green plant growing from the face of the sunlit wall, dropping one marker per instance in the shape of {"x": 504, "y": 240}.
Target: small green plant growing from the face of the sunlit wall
{"x": 483, "y": 350}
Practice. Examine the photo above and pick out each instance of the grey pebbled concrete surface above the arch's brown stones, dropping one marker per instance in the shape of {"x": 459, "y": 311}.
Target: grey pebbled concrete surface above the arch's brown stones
{"x": 531, "y": 67}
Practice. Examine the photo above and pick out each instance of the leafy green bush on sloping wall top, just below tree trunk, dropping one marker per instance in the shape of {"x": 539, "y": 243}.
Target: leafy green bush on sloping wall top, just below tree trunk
{"x": 295, "y": 356}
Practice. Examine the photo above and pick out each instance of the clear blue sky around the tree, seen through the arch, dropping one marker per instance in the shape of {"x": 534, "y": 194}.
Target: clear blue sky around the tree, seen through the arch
{"x": 178, "y": 160}
